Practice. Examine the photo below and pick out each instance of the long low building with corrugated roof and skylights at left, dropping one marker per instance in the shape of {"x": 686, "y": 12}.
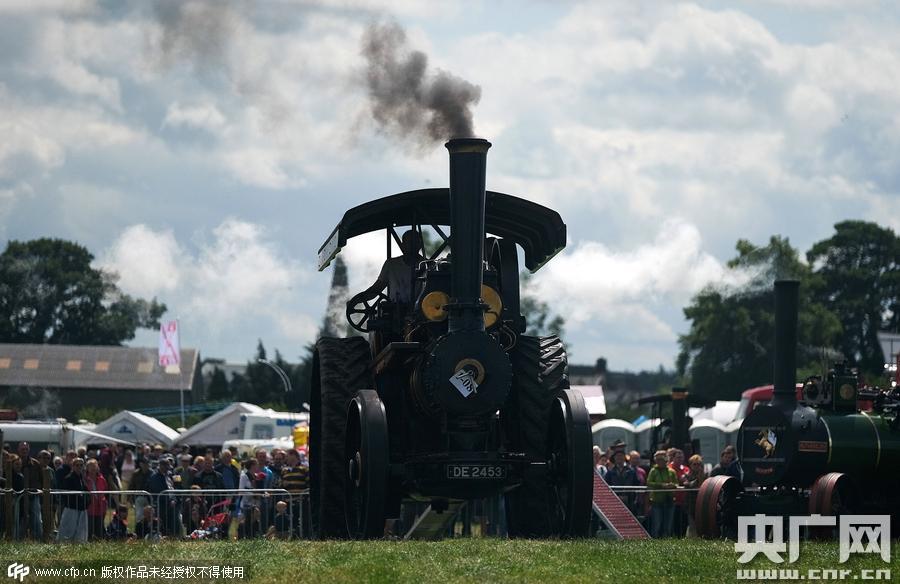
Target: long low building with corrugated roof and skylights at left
{"x": 59, "y": 380}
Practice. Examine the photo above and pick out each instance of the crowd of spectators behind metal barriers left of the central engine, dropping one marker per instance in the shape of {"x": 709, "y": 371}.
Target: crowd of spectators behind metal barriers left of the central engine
{"x": 93, "y": 493}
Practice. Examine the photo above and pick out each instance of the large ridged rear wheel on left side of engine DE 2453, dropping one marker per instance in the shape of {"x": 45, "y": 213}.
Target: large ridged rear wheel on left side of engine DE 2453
{"x": 340, "y": 368}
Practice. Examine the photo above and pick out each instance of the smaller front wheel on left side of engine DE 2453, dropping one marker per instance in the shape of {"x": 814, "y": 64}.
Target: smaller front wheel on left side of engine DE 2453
{"x": 367, "y": 461}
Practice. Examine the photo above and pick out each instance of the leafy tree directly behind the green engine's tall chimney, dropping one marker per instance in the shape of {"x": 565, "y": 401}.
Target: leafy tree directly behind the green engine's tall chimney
{"x": 729, "y": 347}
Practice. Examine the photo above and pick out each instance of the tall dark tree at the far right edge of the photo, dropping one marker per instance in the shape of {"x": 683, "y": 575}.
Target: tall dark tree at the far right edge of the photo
{"x": 860, "y": 269}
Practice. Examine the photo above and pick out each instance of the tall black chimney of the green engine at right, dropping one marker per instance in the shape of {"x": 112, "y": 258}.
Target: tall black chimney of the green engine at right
{"x": 786, "y": 311}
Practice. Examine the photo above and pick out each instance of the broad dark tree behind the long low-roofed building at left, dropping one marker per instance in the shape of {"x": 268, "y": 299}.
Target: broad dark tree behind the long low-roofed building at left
{"x": 49, "y": 293}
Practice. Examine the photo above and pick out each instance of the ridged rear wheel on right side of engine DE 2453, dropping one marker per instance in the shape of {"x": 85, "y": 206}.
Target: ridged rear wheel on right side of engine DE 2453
{"x": 539, "y": 373}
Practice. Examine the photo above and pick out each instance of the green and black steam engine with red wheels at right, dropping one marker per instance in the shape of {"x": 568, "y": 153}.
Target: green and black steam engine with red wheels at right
{"x": 821, "y": 455}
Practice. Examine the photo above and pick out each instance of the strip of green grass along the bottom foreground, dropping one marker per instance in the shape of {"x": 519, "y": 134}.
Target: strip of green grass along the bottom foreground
{"x": 457, "y": 560}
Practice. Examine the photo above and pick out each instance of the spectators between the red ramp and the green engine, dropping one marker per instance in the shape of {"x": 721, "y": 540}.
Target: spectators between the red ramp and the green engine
{"x": 665, "y": 510}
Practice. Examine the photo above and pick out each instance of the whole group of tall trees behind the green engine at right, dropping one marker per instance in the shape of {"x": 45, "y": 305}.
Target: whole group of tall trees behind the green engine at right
{"x": 849, "y": 291}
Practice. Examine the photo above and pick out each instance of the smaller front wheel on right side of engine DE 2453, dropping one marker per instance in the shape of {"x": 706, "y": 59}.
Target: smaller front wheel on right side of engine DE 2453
{"x": 571, "y": 465}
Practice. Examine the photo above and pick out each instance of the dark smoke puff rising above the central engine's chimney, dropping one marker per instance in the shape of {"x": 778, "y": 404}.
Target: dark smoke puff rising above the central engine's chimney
{"x": 406, "y": 99}
